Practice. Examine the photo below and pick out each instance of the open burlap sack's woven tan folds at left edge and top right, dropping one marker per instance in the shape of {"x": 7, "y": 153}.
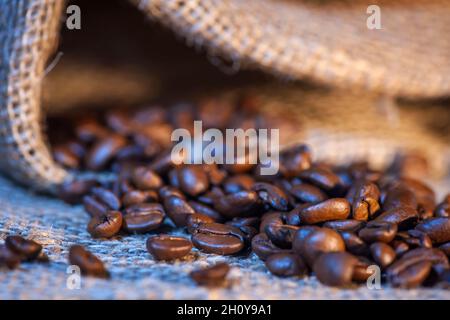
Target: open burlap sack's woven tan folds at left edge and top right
{"x": 327, "y": 41}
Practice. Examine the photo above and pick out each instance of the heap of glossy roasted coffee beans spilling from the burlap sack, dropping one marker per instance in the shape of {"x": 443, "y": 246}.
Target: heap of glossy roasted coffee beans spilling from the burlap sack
{"x": 340, "y": 223}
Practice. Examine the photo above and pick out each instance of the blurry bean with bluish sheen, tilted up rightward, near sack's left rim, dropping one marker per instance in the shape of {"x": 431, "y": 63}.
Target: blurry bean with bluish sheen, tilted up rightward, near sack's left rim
{"x": 104, "y": 151}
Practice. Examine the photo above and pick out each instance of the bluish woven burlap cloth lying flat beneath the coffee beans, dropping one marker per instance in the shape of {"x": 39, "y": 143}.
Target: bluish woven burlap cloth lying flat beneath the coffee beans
{"x": 135, "y": 275}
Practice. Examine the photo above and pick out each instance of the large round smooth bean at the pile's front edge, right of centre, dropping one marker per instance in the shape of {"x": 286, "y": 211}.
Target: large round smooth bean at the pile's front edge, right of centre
{"x": 335, "y": 268}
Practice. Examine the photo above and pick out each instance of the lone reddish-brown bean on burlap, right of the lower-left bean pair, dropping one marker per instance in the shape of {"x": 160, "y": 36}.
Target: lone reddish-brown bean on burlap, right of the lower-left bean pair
{"x": 88, "y": 263}
